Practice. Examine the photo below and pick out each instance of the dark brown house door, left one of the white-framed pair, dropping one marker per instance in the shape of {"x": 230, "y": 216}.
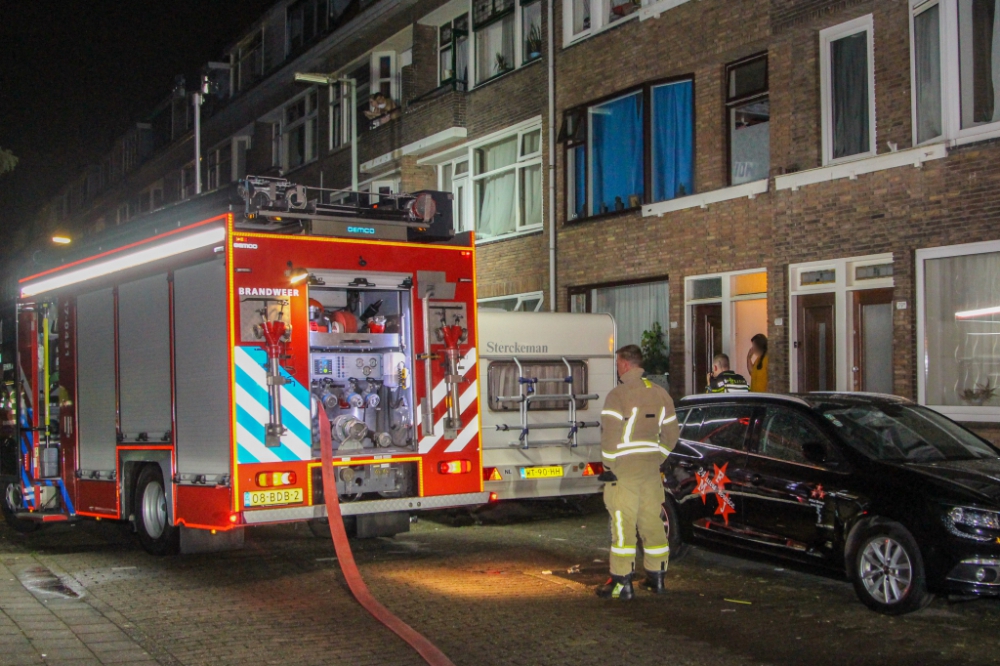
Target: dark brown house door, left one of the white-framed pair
{"x": 816, "y": 343}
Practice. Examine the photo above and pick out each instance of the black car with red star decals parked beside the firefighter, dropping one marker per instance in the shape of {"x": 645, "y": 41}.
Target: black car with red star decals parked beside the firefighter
{"x": 903, "y": 498}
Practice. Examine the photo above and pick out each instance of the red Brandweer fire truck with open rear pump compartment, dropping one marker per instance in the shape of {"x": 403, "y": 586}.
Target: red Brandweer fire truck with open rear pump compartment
{"x": 170, "y": 372}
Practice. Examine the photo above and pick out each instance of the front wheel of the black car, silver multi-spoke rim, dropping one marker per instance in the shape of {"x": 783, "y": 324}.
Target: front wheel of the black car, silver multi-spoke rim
{"x": 887, "y": 569}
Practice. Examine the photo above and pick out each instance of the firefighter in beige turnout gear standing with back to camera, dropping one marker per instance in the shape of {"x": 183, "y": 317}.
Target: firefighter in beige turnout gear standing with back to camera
{"x": 639, "y": 429}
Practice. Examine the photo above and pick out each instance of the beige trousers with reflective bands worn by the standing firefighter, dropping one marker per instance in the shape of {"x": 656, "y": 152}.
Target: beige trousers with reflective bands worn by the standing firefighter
{"x": 636, "y": 501}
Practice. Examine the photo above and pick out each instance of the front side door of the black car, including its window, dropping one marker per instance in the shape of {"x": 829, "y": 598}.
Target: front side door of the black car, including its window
{"x": 787, "y": 503}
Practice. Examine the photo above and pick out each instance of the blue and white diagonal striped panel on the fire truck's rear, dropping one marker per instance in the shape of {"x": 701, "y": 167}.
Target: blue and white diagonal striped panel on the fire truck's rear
{"x": 253, "y": 412}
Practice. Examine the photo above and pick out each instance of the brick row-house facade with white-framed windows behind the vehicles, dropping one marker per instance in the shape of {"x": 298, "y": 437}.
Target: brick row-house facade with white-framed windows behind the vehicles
{"x": 800, "y": 168}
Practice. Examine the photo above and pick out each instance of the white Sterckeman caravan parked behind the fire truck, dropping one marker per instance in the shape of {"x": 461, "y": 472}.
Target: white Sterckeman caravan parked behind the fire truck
{"x": 544, "y": 380}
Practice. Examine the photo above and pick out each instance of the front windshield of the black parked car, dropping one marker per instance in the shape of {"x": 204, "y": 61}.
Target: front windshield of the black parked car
{"x": 905, "y": 433}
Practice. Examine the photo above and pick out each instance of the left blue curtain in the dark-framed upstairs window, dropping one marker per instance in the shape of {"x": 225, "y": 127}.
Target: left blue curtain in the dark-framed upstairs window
{"x": 617, "y": 156}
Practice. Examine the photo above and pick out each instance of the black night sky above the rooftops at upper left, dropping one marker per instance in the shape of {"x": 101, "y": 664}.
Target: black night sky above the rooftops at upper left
{"x": 74, "y": 74}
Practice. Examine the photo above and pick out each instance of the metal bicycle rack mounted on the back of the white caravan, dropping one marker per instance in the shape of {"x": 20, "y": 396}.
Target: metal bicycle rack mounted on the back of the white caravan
{"x": 527, "y": 395}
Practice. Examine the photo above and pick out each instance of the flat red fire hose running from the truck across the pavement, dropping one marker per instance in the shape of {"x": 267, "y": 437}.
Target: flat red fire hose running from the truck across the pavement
{"x": 424, "y": 647}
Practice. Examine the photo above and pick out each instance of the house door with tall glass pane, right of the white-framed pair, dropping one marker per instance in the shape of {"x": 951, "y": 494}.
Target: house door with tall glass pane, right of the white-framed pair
{"x": 872, "y": 370}
